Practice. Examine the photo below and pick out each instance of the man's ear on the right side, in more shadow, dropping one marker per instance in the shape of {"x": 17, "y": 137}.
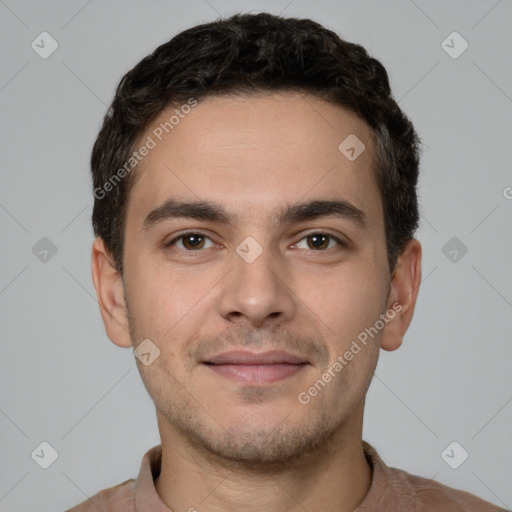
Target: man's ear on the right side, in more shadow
{"x": 405, "y": 284}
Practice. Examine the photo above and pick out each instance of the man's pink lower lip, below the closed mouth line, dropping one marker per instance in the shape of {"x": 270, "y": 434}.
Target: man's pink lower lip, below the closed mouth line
{"x": 257, "y": 373}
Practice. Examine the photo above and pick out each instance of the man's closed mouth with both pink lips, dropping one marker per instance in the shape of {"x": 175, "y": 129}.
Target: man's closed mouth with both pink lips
{"x": 262, "y": 368}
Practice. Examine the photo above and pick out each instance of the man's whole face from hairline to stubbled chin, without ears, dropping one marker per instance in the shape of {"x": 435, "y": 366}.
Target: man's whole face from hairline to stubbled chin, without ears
{"x": 249, "y": 314}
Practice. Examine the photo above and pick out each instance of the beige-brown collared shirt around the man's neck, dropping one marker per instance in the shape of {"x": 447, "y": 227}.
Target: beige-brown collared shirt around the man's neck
{"x": 391, "y": 490}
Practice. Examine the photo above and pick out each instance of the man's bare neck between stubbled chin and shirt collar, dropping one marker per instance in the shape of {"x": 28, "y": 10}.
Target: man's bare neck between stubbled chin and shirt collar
{"x": 335, "y": 478}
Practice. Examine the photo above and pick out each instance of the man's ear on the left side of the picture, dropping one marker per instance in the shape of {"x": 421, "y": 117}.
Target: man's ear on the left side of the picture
{"x": 110, "y": 292}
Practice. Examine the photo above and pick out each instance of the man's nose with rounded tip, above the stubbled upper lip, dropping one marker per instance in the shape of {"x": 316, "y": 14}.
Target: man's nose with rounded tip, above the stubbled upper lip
{"x": 259, "y": 291}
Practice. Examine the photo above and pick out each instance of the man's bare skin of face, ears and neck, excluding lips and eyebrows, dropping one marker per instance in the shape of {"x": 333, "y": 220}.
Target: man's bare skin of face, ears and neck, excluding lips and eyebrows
{"x": 229, "y": 445}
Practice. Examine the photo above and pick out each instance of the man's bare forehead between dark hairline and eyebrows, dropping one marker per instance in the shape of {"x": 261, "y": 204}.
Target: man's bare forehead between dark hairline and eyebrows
{"x": 254, "y": 154}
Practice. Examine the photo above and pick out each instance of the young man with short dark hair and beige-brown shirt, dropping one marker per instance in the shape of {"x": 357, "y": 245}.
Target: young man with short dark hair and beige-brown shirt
{"x": 255, "y": 206}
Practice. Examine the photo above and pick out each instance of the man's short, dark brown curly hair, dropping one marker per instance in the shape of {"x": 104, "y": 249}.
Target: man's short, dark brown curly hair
{"x": 250, "y": 53}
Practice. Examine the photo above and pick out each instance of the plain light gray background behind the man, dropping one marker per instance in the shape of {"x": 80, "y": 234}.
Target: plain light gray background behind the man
{"x": 64, "y": 382}
